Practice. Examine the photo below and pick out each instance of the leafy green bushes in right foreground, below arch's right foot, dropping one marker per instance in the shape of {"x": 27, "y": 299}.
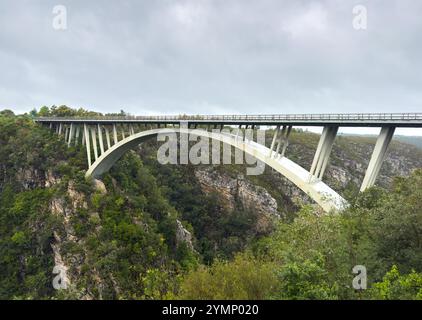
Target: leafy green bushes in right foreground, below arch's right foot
{"x": 313, "y": 257}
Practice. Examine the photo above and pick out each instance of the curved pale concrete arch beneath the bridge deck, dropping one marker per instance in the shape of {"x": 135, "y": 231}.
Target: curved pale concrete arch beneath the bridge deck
{"x": 320, "y": 192}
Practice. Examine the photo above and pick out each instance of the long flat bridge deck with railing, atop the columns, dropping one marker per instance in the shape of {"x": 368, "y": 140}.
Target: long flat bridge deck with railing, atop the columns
{"x": 343, "y": 120}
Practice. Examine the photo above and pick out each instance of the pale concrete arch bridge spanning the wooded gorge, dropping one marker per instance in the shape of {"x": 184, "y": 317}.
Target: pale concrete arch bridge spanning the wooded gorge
{"x": 107, "y": 138}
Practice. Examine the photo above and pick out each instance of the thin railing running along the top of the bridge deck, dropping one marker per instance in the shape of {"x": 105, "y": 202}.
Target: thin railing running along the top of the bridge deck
{"x": 272, "y": 117}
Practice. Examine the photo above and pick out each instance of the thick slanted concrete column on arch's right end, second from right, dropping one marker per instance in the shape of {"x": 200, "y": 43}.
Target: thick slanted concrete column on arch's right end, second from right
{"x": 323, "y": 151}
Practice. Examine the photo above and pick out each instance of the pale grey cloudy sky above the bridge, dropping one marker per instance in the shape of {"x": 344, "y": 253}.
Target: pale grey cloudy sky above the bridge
{"x": 212, "y": 56}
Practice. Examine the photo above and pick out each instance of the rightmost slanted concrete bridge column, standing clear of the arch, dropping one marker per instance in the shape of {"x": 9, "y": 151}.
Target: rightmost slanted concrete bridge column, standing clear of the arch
{"x": 378, "y": 155}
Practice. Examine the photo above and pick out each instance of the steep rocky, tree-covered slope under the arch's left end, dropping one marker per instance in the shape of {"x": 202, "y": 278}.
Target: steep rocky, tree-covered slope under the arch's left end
{"x": 114, "y": 242}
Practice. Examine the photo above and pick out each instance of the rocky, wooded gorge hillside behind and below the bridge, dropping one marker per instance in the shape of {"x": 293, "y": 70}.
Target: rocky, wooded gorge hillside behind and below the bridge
{"x": 148, "y": 231}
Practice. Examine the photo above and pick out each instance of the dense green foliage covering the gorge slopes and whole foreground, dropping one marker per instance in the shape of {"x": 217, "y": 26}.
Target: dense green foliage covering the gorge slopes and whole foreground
{"x": 121, "y": 243}
